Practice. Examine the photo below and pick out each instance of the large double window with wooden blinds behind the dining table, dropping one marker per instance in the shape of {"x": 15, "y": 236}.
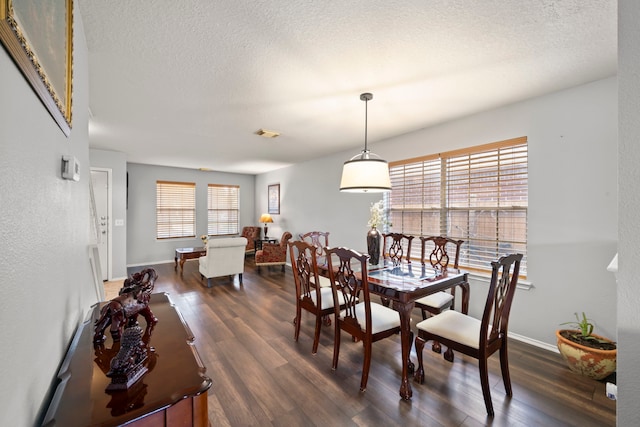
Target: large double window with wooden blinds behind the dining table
{"x": 479, "y": 195}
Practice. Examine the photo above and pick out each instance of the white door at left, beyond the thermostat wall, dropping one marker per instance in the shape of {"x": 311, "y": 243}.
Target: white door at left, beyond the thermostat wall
{"x": 101, "y": 185}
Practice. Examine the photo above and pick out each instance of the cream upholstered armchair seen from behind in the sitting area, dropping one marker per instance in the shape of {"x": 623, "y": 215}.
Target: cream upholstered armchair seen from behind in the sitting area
{"x": 225, "y": 256}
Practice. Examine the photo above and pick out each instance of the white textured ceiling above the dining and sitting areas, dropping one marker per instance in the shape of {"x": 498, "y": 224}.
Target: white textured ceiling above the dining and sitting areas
{"x": 187, "y": 83}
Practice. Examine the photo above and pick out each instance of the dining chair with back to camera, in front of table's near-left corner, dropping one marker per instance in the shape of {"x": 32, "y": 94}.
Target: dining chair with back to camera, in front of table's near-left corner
{"x": 363, "y": 319}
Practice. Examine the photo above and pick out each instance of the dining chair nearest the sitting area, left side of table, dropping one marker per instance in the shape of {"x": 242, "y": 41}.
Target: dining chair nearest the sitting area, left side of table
{"x": 313, "y": 292}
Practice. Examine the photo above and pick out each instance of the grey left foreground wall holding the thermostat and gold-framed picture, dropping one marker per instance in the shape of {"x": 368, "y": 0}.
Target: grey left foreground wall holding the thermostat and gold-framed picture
{"x": 44, "y": 223}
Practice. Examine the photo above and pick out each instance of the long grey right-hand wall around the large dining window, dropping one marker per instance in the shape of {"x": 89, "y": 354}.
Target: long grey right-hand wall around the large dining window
{"x": 572, "y": 222}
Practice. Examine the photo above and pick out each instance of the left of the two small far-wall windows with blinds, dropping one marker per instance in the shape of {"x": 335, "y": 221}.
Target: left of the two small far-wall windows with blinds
{"x": 175, "y": 209}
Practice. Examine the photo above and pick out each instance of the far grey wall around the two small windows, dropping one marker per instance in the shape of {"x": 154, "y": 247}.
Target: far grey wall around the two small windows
{"x": 142, "y": 246}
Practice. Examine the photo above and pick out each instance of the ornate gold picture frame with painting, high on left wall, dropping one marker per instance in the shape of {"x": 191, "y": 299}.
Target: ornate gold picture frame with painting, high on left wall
{"x": 38, "y": 35}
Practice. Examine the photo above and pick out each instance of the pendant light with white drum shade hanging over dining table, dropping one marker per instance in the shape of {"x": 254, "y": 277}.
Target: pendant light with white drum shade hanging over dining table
{"x": 366, "y": 172}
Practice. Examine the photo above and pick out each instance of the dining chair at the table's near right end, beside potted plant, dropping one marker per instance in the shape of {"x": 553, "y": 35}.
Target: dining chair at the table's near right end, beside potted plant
{"x": 478, "y": 338}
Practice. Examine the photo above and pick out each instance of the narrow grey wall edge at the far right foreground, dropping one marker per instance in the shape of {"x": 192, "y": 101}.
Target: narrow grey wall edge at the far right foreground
{"x": 629, "y": 232}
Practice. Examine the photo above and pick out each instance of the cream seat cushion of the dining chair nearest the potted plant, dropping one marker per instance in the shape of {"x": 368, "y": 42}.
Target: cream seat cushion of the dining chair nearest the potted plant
{"x": 454, "y": 326}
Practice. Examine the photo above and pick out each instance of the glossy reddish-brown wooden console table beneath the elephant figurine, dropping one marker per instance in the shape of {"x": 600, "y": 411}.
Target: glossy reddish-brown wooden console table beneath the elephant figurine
{"x": 172, "y": 393}
